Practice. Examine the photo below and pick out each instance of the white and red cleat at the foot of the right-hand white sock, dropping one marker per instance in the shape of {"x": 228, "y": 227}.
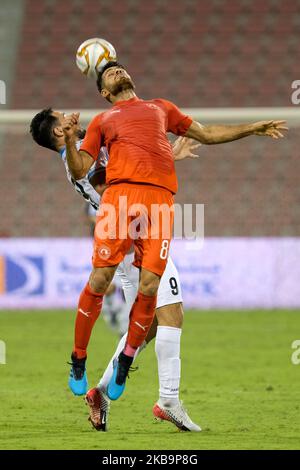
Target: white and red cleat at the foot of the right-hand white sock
{"x": 176, "y": 415}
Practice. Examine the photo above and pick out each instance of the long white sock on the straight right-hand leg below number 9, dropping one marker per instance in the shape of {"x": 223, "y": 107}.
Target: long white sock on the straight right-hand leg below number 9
{"x": 167, "y": 348}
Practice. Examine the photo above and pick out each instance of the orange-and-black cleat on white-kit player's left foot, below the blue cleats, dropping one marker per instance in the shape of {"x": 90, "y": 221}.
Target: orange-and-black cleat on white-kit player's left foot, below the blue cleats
{"x": 99, "y": 405}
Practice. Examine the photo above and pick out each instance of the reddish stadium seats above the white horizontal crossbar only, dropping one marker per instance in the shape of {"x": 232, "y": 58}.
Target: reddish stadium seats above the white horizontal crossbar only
{"x": 173, "y": 48}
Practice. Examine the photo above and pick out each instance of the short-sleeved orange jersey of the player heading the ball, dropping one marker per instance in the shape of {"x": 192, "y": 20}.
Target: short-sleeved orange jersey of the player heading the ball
{"x": 134, "y": 132}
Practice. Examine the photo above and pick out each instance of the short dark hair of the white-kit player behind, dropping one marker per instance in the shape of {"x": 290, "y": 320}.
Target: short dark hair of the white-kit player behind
{"x": 41, "y": 128}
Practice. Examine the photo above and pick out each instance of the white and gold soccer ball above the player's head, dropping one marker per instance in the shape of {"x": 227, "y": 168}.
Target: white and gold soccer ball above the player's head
{"x": 92, "y": 55}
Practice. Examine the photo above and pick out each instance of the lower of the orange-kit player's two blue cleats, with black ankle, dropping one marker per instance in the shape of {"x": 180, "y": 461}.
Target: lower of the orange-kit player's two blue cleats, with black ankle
{"x": 117, "y": 383}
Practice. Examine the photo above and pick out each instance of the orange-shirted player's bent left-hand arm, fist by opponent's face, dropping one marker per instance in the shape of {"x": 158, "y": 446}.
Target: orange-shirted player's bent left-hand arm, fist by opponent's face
{"x": 79, "y": 162}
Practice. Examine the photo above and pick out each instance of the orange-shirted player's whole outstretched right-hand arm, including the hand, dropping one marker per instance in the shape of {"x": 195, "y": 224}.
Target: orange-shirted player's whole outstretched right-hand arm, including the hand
{"x": 219, "y": 134}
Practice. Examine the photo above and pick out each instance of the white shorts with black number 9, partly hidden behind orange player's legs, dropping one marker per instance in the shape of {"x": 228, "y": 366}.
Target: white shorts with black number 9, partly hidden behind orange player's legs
{"x": 169, "y": 291}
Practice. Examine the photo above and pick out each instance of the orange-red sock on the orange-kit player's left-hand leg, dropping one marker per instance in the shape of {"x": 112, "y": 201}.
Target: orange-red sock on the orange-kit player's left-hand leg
{"x": 89, "y": 308}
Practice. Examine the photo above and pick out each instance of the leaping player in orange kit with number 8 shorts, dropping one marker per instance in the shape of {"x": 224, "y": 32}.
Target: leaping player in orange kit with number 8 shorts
{"x": 141, "y": 170}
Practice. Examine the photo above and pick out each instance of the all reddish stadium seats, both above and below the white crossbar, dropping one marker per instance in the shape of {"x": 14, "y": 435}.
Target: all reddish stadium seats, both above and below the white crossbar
{"x": 198, "y": 54}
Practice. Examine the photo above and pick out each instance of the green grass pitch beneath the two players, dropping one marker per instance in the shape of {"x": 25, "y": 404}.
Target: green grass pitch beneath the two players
{"x": 238, "y": 383}
